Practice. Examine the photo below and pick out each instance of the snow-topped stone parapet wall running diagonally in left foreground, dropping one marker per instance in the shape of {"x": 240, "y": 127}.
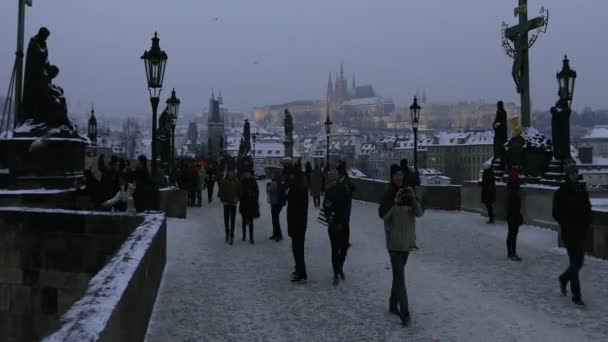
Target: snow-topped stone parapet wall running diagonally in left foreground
{"x": 119, "y": 300}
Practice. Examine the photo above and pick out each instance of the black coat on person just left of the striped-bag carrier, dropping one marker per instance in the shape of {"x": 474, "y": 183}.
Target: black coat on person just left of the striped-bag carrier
{"x": 297, "y": 208}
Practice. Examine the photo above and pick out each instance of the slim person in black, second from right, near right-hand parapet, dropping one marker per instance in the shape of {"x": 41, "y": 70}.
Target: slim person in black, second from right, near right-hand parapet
{"x": 514, "y": 216}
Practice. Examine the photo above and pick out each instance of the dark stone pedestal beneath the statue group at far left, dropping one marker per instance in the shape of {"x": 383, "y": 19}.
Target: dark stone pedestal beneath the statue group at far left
{"x": 51, "y": 163}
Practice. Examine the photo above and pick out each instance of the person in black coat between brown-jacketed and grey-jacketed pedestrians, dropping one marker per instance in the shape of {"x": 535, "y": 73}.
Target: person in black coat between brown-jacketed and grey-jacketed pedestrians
{"x": 249, "y": 206}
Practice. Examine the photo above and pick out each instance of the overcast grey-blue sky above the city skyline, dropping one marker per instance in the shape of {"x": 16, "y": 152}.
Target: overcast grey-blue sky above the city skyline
{"x": 451, "y": 48}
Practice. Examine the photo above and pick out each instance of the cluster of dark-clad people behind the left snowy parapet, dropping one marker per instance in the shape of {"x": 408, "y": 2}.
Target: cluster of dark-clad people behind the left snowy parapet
{"x": 120, "y": 188}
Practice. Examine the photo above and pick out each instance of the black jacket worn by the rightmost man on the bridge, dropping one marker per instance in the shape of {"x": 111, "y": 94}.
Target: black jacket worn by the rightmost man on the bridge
{"x": 572, "y": 210}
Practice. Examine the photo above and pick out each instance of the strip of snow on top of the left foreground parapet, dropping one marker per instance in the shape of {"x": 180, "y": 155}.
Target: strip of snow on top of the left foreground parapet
{"x": 87, "y": 318}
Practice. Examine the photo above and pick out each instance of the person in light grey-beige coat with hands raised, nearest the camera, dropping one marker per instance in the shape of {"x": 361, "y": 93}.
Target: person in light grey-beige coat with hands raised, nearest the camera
{"x": 399, "y": 209}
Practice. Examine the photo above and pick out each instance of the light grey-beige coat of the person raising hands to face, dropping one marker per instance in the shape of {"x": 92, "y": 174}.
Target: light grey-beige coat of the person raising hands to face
{"x": 399, "y": 221}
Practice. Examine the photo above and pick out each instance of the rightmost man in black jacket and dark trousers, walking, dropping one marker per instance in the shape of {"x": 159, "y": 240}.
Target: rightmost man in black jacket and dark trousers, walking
{"x": 572, "y": 210}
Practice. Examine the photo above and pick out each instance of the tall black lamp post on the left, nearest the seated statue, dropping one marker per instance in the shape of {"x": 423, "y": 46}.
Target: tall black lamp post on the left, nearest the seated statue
{"x": 155, "y": 61}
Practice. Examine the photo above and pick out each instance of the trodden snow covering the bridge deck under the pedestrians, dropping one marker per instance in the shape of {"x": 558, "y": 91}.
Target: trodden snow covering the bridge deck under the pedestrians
{"x": 460, "y": 284}
